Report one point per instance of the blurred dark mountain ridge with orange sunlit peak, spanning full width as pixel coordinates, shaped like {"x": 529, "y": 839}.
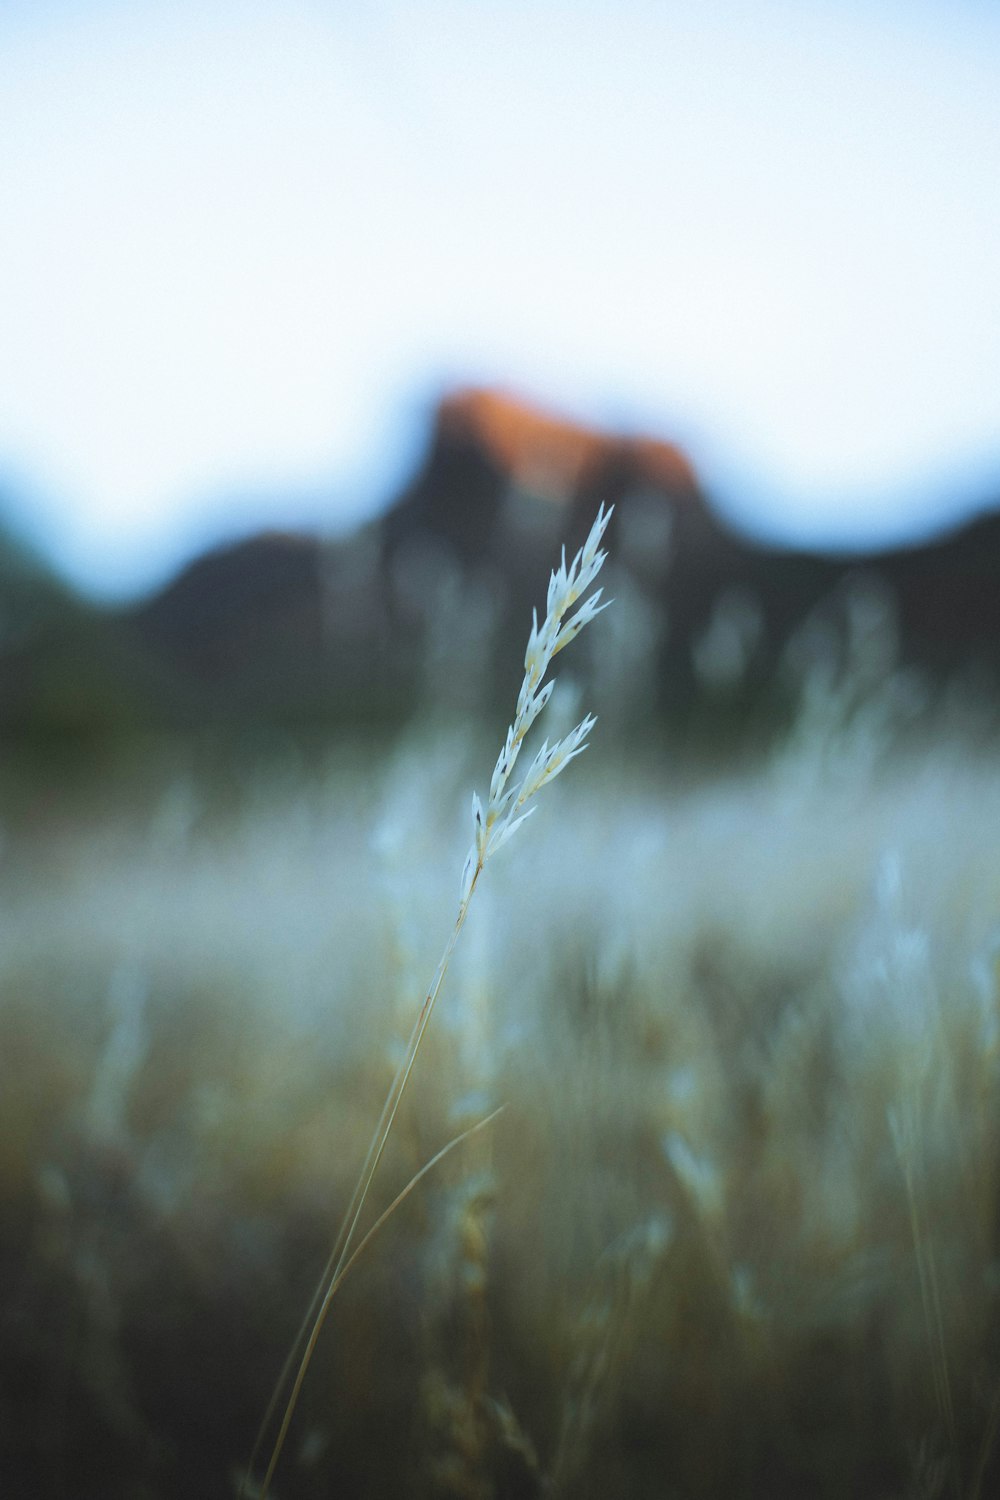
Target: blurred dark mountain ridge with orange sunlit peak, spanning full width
{"x": 428, "y": 607}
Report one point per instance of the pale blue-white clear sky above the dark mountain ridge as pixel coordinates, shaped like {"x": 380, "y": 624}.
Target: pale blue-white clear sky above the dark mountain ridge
{"x": 245, "y": 247}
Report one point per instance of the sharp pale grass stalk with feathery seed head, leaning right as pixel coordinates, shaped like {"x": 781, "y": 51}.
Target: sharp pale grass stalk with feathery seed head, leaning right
{"x": 506, "y": 811}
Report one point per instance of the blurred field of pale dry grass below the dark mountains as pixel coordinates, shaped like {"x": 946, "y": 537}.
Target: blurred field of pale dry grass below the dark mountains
{"x": 735, "y": 1232}
